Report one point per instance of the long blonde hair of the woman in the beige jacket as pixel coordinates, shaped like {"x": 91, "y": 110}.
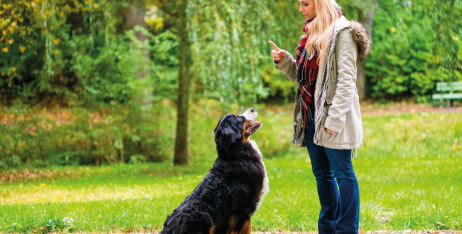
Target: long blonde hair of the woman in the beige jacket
{"x": 318, "y": 29}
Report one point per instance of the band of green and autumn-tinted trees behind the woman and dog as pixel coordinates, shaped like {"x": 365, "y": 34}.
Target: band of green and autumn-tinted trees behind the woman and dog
{"x": 133, "y": 54}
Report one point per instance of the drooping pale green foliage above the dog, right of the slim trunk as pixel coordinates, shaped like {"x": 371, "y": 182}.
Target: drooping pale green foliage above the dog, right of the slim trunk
{"x": 229, "y": 38}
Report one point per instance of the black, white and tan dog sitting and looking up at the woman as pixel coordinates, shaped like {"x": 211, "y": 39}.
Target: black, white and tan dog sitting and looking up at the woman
{"x": 234, "y": 188}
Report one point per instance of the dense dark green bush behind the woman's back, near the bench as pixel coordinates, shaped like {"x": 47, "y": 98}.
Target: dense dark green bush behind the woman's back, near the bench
{"x": 403, "y": 62}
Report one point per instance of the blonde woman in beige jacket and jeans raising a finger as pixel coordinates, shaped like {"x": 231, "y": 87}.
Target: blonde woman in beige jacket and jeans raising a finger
{"x": 327, "y": 119}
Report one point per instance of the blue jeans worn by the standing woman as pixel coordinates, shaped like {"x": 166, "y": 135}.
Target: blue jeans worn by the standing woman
{"x": 338, "y": 188}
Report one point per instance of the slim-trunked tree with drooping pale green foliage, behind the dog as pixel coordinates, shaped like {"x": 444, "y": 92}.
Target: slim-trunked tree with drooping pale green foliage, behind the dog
{"x": 228, "y": 37}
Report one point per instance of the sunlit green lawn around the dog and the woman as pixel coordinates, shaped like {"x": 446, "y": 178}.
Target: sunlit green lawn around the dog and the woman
{"x": 409, "y": 172}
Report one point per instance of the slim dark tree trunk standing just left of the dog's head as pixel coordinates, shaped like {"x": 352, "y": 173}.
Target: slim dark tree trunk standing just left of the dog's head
{"x": 181, "y": 140}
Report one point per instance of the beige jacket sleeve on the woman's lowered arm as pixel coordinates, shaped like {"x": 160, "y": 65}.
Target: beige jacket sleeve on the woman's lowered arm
{"x": 346, "y": 56}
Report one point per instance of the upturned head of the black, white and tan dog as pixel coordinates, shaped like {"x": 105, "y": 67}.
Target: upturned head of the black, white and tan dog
{"x": 234, "y": 129}
